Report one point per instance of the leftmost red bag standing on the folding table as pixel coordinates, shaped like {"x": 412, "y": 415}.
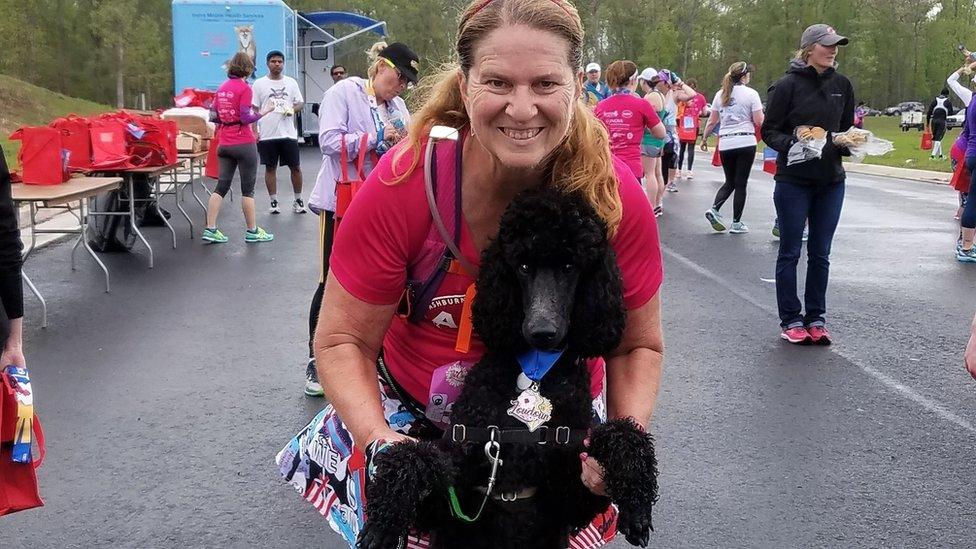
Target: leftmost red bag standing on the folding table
{"x": 43, "y": 159}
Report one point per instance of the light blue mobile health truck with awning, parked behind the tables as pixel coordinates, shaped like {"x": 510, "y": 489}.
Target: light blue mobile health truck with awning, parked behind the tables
{"x": 207, "y": 33}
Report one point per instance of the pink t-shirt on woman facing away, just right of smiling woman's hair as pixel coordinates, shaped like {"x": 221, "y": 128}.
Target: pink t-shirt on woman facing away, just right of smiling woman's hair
{"x": 625, "y": 117}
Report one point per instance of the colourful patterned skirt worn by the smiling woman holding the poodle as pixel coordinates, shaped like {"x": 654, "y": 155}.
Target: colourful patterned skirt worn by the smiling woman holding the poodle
{"x": 329, "y": 471}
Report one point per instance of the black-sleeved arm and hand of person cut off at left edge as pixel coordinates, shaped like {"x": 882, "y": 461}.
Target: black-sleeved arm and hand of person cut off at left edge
{"x": 11, "y": 285}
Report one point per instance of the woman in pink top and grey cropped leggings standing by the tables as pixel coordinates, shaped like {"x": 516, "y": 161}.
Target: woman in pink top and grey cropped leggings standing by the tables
{"x": 237, "y": 149}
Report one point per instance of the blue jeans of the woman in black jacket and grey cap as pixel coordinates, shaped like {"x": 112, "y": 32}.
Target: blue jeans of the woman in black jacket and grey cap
{"x": 796, "y": 205}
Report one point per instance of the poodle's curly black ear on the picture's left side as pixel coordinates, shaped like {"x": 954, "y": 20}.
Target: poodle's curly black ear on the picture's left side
{"x": 497, "y": 311}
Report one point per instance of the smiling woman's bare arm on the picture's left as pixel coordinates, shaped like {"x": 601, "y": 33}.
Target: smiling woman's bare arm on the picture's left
{"x": 347, "y": 342}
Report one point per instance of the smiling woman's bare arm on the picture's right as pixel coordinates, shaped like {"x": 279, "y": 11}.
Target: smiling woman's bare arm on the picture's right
{"x": 634, "y": 368}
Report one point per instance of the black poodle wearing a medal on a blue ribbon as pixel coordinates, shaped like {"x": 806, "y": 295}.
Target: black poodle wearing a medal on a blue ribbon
{"x": 548, "y": 282}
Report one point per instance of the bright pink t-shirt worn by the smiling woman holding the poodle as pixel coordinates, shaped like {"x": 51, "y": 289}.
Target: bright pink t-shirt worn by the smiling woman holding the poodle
{"x": 386, "y": 226}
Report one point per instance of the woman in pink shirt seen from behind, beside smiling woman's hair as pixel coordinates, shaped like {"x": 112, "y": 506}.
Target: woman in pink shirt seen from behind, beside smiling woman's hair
{"x": 626, "y": 116}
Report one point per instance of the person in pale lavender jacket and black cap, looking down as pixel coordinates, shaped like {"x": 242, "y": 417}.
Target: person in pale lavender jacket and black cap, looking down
{"x": 353, "y": 108}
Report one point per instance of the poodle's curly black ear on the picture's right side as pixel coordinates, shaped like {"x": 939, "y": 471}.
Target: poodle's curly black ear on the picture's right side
{"x": 598, "y": 312}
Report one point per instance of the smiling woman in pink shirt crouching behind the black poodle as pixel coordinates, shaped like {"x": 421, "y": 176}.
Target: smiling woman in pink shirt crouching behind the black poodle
{"x": 514, "y": 97}
